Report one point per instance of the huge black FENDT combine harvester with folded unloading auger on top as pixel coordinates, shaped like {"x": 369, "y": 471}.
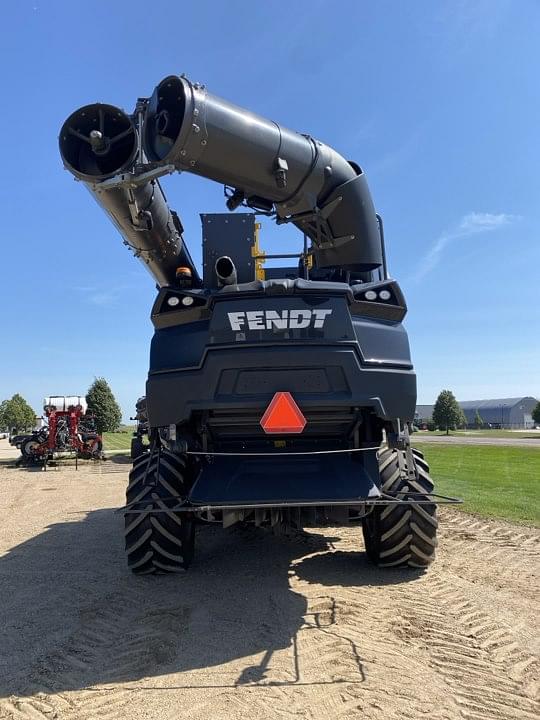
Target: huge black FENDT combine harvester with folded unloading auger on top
{"x": 281, "y": 397}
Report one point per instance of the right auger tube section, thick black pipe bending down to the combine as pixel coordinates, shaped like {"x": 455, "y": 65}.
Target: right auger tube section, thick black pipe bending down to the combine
{"x": 268, "y": 166}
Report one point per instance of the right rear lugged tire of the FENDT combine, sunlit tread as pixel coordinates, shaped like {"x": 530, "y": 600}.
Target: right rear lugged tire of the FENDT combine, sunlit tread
{"x": 402, "y": 535}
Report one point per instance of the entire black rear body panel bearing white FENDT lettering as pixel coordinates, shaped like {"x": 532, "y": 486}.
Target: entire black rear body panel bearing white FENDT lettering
{"x": 252, "y": 347}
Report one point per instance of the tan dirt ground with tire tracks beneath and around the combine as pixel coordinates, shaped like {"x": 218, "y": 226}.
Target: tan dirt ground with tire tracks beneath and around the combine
{"x": 261, "y": 627}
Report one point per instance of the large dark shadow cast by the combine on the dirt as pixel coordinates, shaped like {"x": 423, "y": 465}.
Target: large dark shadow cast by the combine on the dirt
{"x": 72, "y": 617}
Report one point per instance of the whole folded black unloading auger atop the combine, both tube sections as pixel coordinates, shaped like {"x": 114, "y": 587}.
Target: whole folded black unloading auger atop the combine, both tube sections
{"x": 268, "y": 167}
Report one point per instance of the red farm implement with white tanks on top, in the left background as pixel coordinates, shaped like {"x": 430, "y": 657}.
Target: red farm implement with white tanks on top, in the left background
{"x": 69, "y": 433}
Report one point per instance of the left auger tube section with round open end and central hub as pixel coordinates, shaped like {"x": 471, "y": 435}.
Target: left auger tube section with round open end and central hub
{"x": 99, "y": 142}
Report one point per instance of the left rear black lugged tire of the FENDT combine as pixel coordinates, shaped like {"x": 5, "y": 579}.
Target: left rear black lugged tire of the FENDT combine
{"x": 158, "y": 540}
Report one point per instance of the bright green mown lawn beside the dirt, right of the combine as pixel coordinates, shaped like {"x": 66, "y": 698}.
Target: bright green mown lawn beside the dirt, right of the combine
{"x": 498, "y": 481}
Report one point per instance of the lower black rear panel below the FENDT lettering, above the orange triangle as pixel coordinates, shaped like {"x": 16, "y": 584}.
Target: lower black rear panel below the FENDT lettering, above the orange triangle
{"x": 173, "y": 395}
